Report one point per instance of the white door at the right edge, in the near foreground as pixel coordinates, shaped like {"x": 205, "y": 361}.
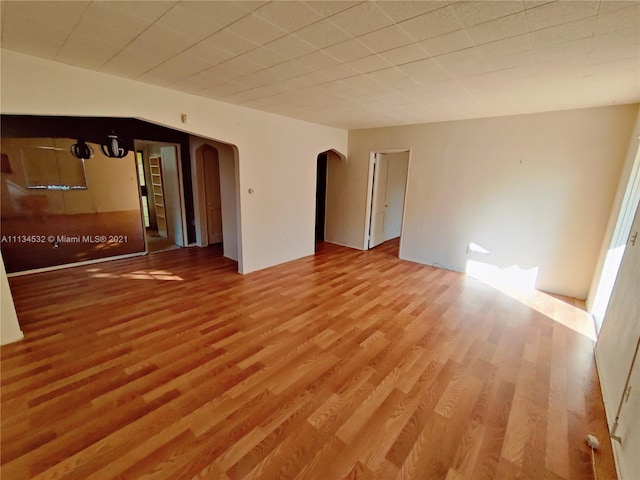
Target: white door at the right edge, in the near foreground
{"x": 615, "y": 351}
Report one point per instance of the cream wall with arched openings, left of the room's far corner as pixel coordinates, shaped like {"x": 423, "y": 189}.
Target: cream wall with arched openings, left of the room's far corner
{"x": 277, "y": 156}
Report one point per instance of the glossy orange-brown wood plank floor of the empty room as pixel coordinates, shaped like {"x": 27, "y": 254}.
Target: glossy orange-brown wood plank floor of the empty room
{"x": 348, "y": 364}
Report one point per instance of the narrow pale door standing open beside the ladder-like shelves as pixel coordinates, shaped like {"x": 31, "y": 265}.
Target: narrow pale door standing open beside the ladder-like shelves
{"x": 172, "y": 194}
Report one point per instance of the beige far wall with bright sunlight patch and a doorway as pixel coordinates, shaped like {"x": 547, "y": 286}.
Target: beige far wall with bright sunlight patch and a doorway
{"x": 536, "y": 190}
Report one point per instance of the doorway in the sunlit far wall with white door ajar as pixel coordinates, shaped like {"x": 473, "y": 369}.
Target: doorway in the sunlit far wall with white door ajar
{"x": 386, "y": 197}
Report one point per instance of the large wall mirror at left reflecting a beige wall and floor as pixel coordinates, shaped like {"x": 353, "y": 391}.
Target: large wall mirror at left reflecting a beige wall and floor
{"x": 57, "y": 209}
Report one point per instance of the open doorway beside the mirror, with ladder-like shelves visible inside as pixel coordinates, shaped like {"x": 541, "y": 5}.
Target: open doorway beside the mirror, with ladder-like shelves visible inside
{"x": 161, "y": 196}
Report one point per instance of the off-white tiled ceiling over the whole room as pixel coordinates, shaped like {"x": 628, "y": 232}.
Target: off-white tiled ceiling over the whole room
{"x": 351, "y": 64}
